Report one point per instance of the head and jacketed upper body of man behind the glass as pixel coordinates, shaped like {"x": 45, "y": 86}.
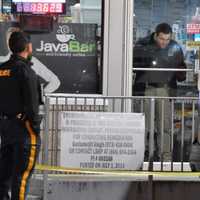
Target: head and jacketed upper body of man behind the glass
{"x": 158, "y": 50}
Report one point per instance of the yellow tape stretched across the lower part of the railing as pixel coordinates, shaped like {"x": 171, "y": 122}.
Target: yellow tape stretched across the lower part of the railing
{"x": 109, "y": 172}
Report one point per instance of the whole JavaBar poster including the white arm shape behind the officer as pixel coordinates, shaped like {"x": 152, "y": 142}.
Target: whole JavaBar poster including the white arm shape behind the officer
{"x": 65, "y": 58}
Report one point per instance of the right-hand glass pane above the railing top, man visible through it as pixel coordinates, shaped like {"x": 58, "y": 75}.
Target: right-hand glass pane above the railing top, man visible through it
{"x": 153, "y": 50}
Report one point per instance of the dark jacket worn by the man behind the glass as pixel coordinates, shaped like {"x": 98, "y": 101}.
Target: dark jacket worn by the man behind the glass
{"x": 146, "y": 52}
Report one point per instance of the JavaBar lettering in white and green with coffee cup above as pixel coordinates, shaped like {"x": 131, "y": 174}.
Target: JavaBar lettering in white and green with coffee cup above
{"x": 67, "y": 43}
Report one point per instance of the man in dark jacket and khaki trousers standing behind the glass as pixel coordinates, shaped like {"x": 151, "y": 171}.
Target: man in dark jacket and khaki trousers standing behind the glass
{"x": 158, "y": 50}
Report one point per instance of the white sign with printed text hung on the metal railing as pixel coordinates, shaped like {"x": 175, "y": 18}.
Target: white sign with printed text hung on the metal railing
{"x": 102, "y": 140}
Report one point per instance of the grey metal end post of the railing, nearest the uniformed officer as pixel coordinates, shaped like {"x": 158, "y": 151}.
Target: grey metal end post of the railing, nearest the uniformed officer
{"x": 45, "y": 143}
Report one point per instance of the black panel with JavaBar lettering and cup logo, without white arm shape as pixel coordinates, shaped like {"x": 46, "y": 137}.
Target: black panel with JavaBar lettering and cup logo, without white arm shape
{"x": 70, "y": 52}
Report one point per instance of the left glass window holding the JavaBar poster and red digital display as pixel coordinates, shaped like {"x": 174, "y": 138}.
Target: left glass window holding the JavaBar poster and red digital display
{"x": 66, "y": 37}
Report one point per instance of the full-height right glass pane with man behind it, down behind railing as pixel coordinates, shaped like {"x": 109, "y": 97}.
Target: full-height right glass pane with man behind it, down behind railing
{"x": 166, "y": 39}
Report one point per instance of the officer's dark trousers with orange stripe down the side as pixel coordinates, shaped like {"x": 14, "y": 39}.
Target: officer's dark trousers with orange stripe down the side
{"x": 17, "y": 159}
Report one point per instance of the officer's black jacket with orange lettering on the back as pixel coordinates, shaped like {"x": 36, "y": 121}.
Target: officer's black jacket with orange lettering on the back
{"x": 19, "y": 88}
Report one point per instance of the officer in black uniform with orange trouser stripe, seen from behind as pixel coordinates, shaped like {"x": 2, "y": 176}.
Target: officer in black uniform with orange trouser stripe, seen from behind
{"x": 19, "y": 119}
